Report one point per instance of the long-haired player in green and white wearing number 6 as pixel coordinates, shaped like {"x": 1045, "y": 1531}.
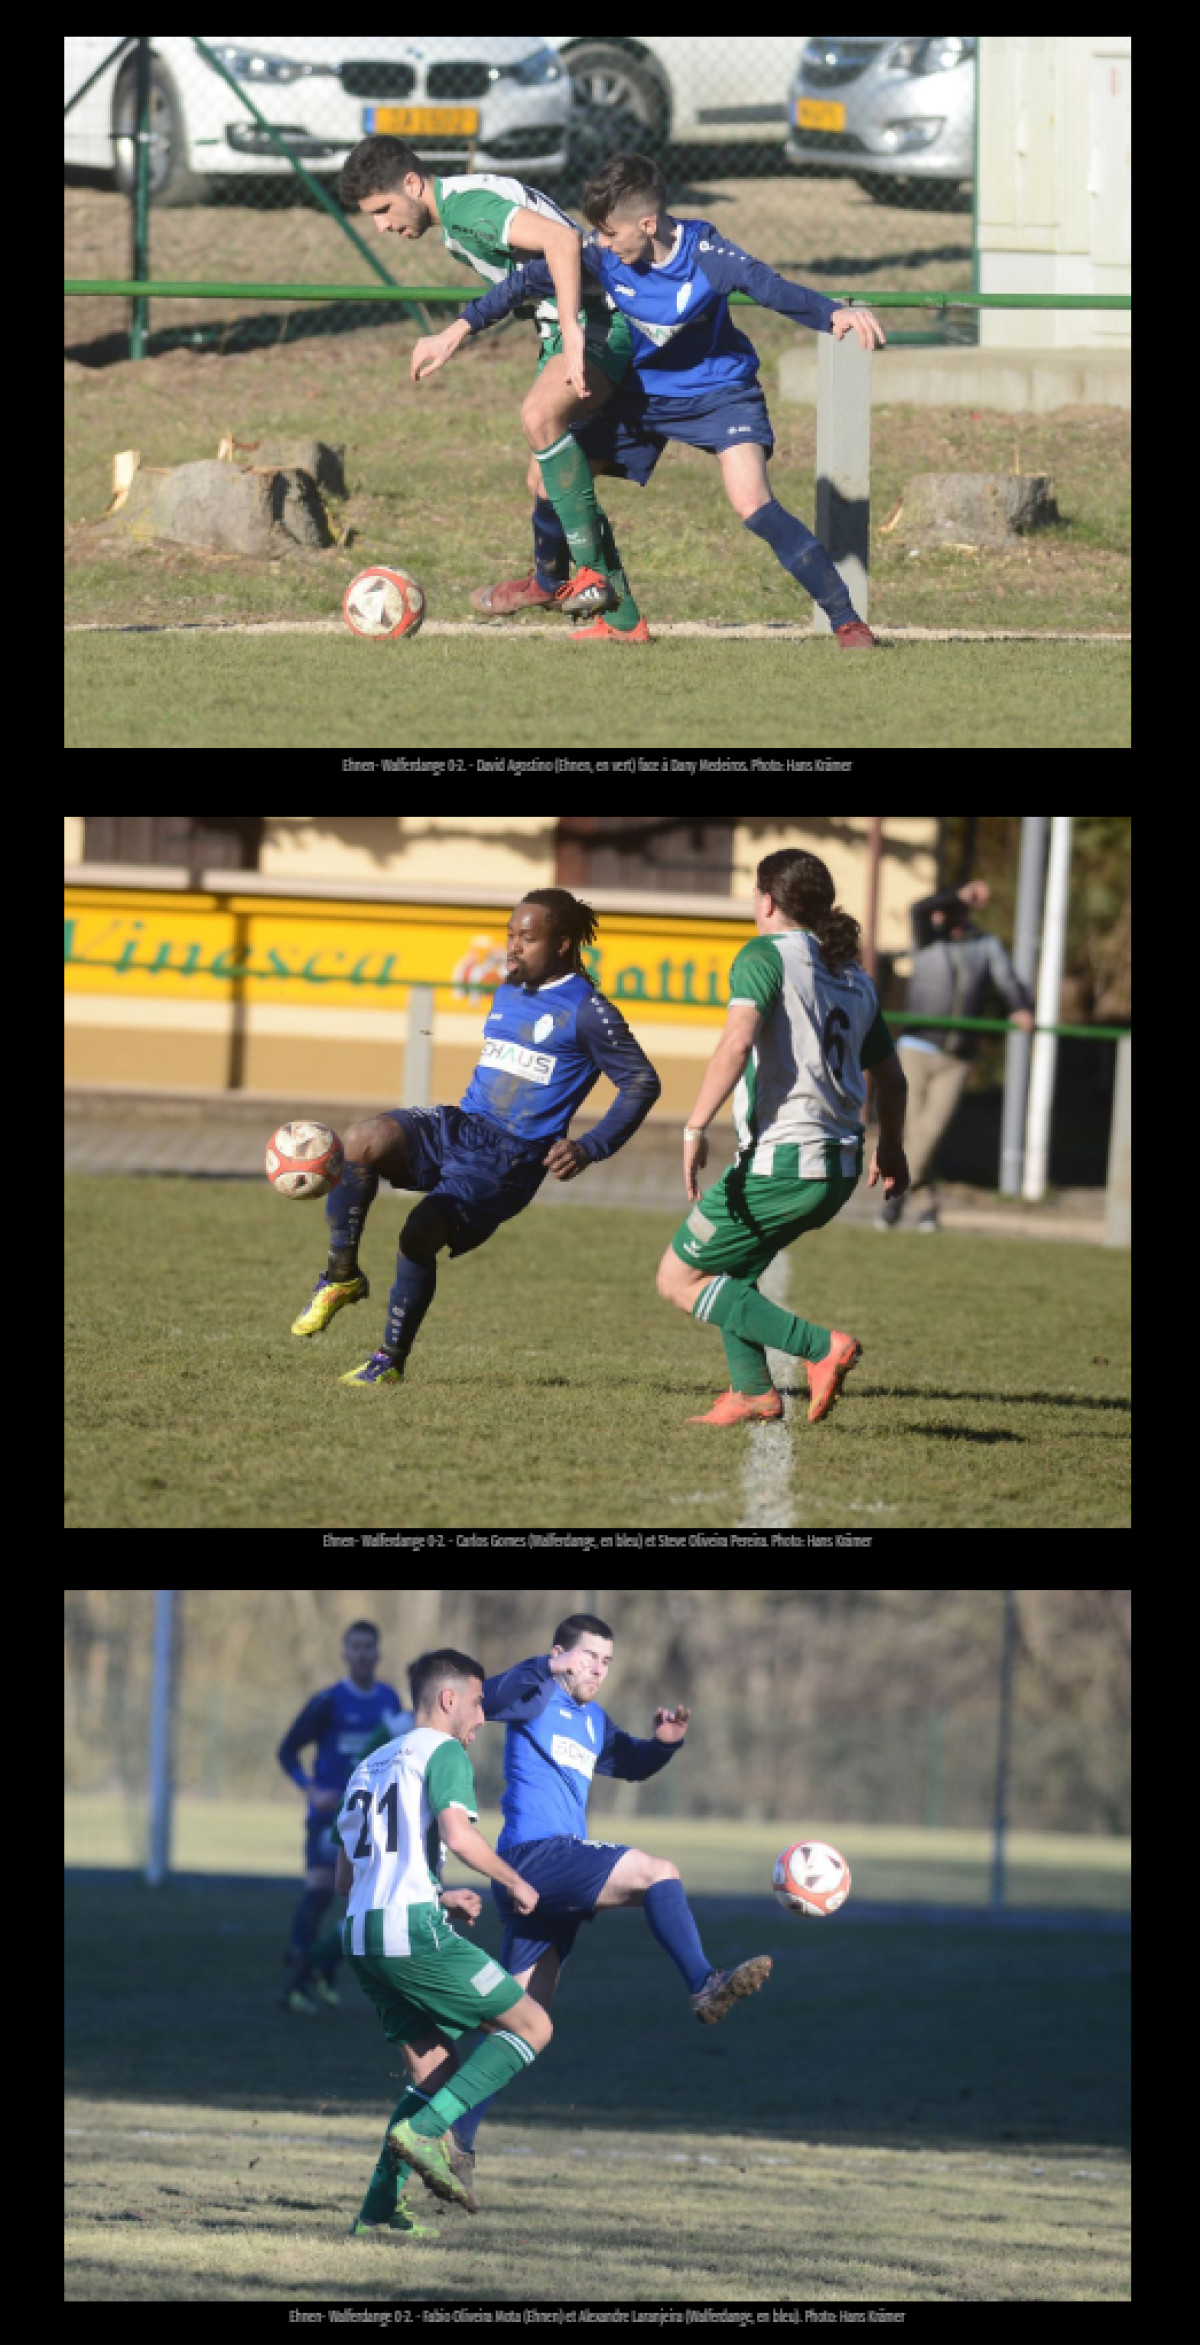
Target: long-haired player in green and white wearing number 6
{"x": 800, "y": 1031}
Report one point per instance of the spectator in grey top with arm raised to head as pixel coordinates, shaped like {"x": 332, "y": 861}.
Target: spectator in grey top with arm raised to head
{"x": 953, "y": 972}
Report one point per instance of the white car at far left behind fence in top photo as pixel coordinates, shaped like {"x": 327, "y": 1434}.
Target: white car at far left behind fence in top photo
{"x": 465, "y": 102}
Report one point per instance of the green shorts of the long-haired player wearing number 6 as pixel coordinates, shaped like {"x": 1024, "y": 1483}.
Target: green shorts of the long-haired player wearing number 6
{"x": 749, "y": 1218}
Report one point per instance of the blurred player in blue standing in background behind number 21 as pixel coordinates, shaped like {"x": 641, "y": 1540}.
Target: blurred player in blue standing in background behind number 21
{"x": 339, "y": 1722}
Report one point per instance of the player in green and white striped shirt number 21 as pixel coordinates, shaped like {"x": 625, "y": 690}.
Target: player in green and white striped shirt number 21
{"x": 428, "y": 1985}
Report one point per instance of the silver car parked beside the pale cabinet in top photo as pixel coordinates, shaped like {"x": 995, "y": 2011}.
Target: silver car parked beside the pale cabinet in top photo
{"x": 887, "y": 109}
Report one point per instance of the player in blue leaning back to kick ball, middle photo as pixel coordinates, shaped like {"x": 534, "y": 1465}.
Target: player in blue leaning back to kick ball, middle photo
{"x": 547, "y": 1040}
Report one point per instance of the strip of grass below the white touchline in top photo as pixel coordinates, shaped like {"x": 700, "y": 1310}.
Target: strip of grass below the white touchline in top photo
{"x": 526, "y": 695}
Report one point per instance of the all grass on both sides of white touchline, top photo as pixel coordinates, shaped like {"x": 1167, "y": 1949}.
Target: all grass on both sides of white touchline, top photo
{"x": 437, "y": 482}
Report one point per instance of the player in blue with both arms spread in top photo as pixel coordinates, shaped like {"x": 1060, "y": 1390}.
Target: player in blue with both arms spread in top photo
{"x": 693, "y": 376}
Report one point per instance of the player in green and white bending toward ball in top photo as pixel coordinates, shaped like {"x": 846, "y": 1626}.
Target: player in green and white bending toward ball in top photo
{"x": 496, "y": 224}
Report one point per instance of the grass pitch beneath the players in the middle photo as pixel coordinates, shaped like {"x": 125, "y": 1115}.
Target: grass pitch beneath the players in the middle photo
{"x": 993, "y": 1392}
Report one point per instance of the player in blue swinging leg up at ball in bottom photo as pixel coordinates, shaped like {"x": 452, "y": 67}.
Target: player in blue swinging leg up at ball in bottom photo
{"x": 557, "y": 1741}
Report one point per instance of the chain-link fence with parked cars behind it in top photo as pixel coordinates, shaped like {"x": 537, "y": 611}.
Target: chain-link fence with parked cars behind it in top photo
{"x": 836, "y": 161}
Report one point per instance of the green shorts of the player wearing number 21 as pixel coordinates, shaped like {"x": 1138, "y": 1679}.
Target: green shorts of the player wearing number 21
{"x": 439, "y": 1985}
